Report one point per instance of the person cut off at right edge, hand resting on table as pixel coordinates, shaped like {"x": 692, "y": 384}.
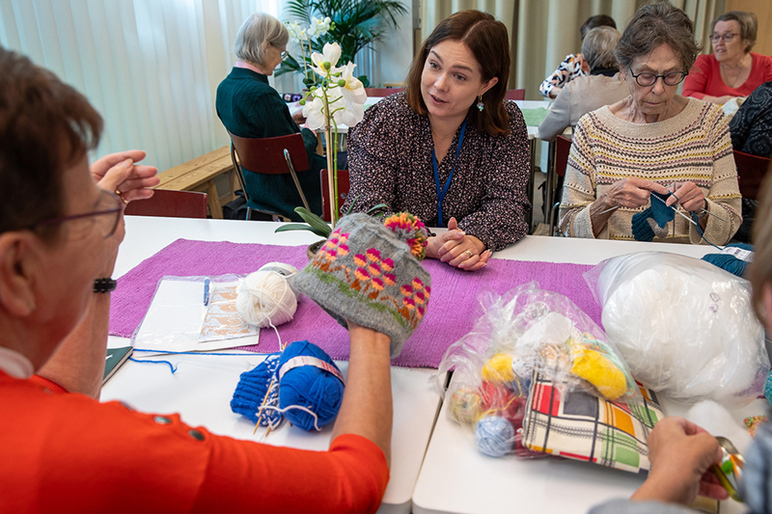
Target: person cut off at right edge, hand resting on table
{"x": 681, "y": 453}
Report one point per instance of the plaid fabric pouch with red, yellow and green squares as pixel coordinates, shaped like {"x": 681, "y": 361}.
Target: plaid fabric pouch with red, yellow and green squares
{"x": 585, "y": 427}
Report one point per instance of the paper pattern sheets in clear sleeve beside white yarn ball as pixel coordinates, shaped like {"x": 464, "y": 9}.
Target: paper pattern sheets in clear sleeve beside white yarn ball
{"x": 178, "y": 320}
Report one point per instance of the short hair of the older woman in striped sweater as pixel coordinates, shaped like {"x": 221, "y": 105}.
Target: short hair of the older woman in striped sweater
{"x": 654, "y": 25}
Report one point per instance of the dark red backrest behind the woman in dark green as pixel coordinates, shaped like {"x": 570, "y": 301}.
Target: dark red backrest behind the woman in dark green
{"x": 266, "y": 154}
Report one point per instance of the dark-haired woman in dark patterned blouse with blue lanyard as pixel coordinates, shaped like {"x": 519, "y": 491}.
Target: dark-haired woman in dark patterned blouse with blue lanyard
{"x": 449, "y": 148}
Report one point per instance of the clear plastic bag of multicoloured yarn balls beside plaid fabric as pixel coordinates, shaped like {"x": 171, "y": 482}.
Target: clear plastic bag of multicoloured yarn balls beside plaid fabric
{"x": 527, "y": 329}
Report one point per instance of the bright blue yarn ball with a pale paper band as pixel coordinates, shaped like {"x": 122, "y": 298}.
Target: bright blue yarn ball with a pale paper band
{"x": 309, "y": 386}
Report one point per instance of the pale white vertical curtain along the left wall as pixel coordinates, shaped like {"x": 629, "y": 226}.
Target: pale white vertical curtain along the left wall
{"x": 150, "y": 67}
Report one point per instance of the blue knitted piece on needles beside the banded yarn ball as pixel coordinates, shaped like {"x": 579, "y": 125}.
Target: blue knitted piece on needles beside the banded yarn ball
{"x": 251, "y": 390}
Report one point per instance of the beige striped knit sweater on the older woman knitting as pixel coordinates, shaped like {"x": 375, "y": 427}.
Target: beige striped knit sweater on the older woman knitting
{"x": 691, "y": 146}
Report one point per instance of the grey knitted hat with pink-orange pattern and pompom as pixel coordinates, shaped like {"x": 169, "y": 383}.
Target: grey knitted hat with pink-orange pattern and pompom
{"x": 370, "y": 273}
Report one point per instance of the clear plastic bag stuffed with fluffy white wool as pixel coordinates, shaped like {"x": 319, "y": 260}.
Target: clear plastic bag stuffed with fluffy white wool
{"x": 685, "y": 327}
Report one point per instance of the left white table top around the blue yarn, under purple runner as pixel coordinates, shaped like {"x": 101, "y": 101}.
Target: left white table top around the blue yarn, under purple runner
{"x": 201, "y": 390}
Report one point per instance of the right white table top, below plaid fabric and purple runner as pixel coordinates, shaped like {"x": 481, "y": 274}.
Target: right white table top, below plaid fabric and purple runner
{"x": 456, "y": 478}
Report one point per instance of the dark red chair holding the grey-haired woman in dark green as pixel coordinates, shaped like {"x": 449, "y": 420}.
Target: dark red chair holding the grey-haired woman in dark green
{"x": 269, "y": 155}
